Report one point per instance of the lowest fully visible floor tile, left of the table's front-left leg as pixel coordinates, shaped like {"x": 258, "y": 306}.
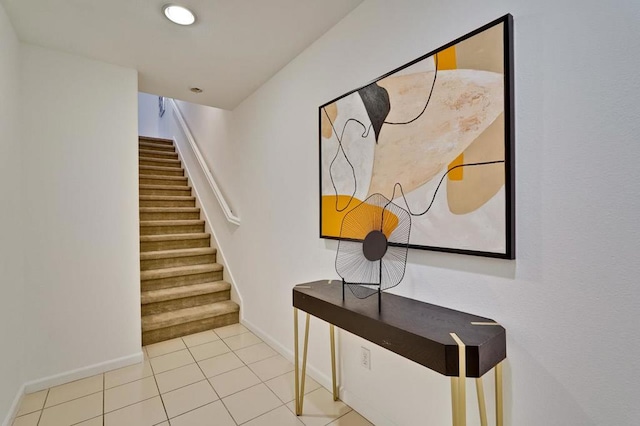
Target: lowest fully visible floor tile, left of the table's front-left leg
{"x": 251, "y": 403}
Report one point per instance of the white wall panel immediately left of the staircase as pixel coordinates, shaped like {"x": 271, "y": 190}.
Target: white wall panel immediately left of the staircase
{"x": 80, "y": 171}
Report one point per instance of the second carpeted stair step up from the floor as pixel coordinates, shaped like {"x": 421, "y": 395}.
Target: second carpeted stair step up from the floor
{"x": 175, "y": 298}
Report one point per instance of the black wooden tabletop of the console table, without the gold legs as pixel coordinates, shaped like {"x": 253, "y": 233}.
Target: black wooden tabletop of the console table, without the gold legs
{"x": 415, "y": 330}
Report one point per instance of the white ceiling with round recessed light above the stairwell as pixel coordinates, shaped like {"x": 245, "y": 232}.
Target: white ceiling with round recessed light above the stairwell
{"x": 232, "y": 49}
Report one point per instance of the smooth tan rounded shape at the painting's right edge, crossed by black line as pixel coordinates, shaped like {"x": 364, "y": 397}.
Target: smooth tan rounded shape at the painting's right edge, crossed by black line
{"x": 479, "y": 183}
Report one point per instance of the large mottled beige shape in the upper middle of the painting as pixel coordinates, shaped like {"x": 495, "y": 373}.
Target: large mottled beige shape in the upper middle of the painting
{"x": 463, "y": 104}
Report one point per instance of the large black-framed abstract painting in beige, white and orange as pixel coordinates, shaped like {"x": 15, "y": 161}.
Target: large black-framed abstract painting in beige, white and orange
{"x": 435, "y": 135}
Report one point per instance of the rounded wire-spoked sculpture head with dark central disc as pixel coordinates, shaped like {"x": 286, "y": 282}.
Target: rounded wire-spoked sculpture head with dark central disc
{"x": 373, "y": 246}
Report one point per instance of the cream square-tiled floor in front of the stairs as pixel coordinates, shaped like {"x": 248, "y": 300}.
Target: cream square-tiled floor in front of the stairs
{"x": 221, "y": 377}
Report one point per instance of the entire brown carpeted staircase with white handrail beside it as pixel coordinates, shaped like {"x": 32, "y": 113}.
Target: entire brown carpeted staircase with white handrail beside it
{"x": 181, "y": 283}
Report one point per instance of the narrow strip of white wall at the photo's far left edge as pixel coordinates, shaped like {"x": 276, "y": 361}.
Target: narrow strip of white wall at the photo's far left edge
{"x": 11, "y": 237}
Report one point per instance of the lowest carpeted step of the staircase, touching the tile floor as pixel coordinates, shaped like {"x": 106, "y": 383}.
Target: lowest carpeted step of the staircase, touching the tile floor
{"x": 168, "y": 325}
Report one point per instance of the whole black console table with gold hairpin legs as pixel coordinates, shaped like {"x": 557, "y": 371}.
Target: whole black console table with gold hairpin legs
{"x": 452, "y": 343}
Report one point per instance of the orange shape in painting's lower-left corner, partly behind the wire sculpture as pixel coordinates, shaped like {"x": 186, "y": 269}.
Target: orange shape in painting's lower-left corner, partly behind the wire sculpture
{"x": 365, "y": 217}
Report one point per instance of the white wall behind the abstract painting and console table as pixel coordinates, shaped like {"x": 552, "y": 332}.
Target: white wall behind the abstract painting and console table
{"x": 569, "y": 302}
